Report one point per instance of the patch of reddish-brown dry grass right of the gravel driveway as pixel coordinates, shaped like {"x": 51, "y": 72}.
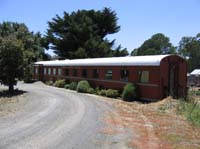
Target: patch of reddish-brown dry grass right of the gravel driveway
{"x": 156, "y": 125}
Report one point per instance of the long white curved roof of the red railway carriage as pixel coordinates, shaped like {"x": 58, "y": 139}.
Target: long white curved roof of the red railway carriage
{"x": 153, "y": 60}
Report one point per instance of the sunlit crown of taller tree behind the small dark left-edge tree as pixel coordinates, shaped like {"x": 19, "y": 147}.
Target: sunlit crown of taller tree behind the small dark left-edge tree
{"x": 33, "y": 43}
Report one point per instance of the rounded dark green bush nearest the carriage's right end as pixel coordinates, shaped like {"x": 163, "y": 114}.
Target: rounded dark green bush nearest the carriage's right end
{"x": 129, "y": 92}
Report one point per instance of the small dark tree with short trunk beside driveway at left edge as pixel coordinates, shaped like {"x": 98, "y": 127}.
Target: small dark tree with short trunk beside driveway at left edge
{"x": 11, "y": 61}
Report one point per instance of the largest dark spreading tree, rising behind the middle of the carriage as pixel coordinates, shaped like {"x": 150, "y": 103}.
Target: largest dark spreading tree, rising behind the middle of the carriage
{"x": 82, "y": 34}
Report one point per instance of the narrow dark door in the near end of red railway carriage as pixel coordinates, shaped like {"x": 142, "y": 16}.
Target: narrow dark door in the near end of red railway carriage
{"x": 173, "y": 80}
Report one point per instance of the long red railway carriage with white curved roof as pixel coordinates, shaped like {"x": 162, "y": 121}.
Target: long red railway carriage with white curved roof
{"x": 156, "y": 76}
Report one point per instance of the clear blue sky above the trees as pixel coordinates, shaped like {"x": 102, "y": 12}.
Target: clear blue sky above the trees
{"x": 139, "y": 19}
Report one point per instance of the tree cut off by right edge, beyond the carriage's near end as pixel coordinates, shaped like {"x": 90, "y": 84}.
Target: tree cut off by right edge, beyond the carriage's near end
{"x": 189, "y": 48}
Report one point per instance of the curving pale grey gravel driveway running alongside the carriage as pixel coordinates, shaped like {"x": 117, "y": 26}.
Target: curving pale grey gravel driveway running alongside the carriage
{"x": 57, "y": 118}
